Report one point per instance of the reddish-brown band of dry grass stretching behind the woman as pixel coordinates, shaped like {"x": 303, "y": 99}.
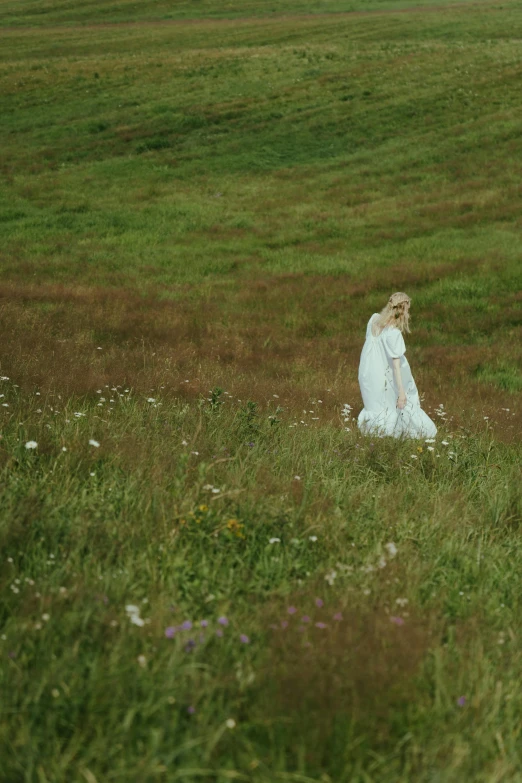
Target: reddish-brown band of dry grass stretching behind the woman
{"x": 293, "y": 335}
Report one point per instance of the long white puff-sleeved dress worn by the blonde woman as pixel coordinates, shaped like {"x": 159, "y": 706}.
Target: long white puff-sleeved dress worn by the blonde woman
{"x": 380, "y": 415}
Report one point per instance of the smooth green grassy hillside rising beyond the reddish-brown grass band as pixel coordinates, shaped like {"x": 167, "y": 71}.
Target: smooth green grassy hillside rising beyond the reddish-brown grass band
{"x": 315, "y": 145}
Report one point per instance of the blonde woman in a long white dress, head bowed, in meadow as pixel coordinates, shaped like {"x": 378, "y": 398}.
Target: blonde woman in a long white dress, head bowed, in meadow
{"x": 390, "y": 396}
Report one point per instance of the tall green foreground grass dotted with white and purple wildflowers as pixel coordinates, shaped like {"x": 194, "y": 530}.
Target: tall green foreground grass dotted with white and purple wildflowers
{"x": 134, "y": 521}
